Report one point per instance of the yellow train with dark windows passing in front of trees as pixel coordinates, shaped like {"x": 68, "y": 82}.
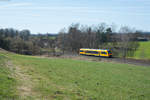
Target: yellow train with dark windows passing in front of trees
{"x": 96, "y": 52}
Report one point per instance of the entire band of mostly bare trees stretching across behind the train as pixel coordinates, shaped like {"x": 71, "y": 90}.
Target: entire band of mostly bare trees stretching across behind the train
{"x": 123, "y": 43}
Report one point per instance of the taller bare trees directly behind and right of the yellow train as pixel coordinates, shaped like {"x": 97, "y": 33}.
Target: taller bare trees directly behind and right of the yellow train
{"x": 123, "y": 43}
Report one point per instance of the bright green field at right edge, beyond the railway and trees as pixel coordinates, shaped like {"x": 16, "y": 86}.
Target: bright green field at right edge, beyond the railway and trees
{"x": 143, "y": 51}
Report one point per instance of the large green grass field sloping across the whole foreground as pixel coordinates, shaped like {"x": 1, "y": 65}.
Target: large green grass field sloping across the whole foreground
{"x": 66, "y": 79}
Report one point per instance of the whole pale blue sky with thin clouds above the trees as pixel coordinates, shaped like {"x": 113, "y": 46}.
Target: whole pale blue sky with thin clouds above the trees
{"x": 50, "y": 16}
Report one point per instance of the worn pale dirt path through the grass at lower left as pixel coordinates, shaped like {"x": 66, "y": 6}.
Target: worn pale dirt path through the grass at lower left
{"x": 25, "y": 83}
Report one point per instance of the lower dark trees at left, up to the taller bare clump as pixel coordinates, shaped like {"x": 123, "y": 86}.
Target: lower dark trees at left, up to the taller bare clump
{"x": 23, "y": 42}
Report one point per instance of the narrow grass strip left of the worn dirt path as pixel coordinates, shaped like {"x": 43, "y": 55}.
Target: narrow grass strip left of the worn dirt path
{"x": 7, "y": 82}
